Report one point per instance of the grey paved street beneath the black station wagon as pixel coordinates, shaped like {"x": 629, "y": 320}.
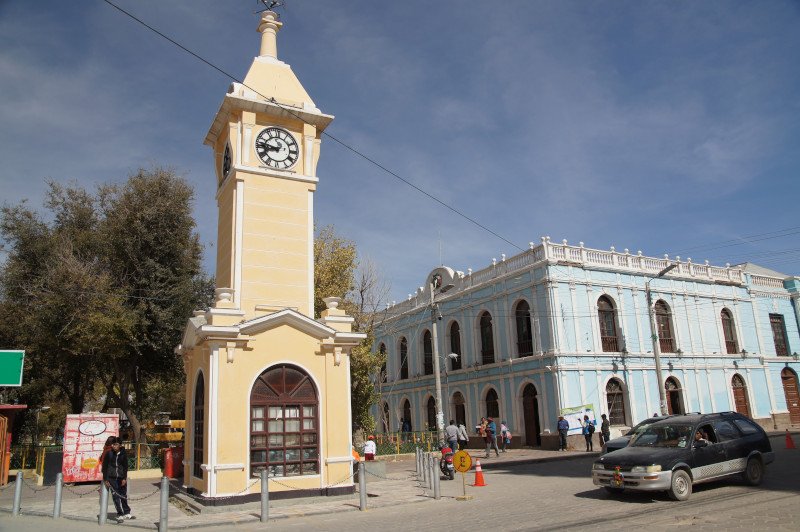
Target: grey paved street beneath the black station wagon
{"x": 549, "y": 496}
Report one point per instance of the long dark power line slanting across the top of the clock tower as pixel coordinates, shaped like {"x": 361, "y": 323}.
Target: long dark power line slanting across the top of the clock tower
{"x": 326, "y": 134}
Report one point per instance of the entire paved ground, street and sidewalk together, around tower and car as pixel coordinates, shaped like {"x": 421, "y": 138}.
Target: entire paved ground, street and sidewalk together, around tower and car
{"x": 526, "y": 490}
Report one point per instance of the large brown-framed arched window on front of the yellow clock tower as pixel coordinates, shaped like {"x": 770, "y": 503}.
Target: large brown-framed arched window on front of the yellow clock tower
{"x": 284, "y": 427}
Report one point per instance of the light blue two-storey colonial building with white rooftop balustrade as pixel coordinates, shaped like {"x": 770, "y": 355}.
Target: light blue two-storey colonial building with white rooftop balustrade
{"x": 563, "y": 328}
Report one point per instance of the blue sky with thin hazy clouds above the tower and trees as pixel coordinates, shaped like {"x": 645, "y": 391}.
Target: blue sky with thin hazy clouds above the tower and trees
{"x": 660, "y": 126}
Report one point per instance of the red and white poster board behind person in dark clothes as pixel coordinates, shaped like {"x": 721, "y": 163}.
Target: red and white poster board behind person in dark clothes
{"x": 84, "y": 437}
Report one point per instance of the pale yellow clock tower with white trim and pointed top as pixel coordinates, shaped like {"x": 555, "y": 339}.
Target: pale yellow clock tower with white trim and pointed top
{"x": 268, "y": 386}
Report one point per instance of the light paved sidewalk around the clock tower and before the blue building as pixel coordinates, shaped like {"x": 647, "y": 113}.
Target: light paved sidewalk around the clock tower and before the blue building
{"x": 400, "y": 487}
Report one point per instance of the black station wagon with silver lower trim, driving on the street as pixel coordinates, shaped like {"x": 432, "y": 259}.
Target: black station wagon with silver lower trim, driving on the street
{"x": 675, "y": 453}
